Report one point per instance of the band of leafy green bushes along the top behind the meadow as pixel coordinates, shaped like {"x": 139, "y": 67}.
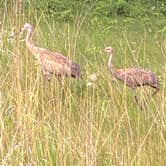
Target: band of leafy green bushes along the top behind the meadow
{"x": 65, "y": 10}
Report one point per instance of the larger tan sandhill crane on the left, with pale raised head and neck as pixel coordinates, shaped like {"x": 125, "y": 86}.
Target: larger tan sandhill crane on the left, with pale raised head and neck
{"x": 52, "y": 63}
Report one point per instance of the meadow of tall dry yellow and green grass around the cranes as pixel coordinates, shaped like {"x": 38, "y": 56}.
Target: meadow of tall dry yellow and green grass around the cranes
{"x": 43, "y": 123}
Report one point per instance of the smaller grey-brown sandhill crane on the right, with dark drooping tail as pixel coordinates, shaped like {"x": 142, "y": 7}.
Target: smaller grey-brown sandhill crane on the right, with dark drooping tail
{"x": 133, "y": 77}
